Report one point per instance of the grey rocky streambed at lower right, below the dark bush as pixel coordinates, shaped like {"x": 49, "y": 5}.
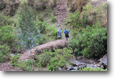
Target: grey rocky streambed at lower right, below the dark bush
{"x": 81, "y": 62}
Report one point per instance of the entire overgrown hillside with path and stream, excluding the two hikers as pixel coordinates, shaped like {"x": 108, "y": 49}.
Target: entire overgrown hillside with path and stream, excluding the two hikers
{"x": 28, "y": 35}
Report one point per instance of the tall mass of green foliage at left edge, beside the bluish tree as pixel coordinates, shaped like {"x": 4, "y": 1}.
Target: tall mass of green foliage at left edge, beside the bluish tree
{"x": 7, "y": 41}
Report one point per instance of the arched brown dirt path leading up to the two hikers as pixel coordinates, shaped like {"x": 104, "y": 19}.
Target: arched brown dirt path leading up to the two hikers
{"x": 57, "y": 44}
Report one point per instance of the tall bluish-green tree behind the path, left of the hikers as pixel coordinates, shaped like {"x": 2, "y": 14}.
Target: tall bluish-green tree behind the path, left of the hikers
{"x": 28, "y": 32}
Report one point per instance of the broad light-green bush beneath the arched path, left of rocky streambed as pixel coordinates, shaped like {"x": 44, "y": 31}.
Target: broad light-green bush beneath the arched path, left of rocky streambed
{"x": 54, "y": 60}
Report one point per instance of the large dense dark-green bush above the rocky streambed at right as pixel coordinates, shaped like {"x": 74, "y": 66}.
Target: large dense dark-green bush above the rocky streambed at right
{"x": 90, "y": 42}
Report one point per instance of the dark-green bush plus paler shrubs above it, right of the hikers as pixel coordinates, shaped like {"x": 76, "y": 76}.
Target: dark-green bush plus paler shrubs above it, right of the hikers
{"x": 90, "y": 38}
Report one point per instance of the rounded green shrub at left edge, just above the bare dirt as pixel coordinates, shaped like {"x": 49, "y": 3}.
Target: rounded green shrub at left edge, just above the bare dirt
{"x": 4, "y": 51}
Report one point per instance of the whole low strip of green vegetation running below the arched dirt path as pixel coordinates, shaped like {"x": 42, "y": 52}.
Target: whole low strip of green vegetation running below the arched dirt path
{"x": 51, "y": 60}
